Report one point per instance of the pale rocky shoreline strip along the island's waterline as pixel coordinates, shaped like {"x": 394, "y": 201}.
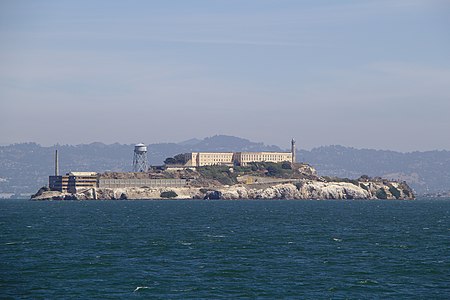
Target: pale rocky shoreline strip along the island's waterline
{"x": 308, "y": 189}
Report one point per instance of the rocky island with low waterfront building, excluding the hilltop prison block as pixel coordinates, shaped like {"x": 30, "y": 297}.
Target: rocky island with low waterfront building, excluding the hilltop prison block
{"x": 254, "y": 180}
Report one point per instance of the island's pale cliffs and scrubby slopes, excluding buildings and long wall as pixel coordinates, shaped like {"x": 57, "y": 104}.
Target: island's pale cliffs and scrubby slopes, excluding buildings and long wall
{"x": 258, "y": 181}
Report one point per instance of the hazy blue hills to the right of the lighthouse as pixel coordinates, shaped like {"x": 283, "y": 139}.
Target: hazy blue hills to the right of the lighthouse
{"x": 426, "y": 172}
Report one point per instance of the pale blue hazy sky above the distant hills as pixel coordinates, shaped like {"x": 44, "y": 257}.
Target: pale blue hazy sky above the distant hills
{"x": 365, "y": 74}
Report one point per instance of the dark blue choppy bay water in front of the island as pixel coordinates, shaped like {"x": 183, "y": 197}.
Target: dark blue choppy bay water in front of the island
{"x": 225, "y": 249}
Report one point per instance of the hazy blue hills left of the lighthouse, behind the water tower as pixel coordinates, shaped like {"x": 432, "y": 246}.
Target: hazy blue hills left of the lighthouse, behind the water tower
{"x": 25, "y": 167}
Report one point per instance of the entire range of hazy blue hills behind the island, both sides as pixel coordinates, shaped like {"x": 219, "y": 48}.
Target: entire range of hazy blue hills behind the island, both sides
{"x": 25, "y": 167}
